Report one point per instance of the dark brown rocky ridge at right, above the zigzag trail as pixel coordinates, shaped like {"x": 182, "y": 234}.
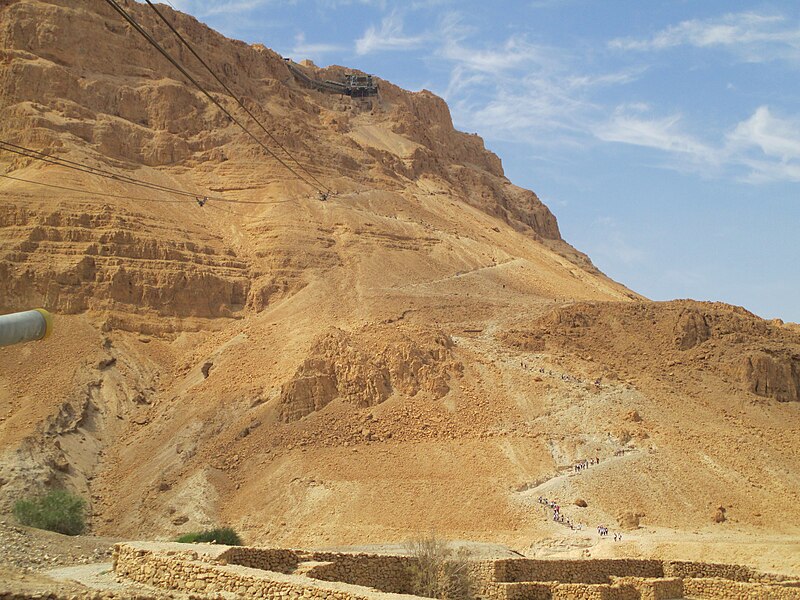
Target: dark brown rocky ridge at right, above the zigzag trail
{"x": 666, "y": 338}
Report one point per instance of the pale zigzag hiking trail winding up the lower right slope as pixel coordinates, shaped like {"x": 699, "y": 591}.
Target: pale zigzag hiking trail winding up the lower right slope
{"x": 571, "y": 397}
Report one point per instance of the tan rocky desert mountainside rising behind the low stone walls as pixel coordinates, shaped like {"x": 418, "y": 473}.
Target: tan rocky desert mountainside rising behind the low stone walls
{"x": 421, "y": 351}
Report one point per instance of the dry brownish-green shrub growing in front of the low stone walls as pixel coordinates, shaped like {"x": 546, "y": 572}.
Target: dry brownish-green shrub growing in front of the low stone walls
{"x": 439, "y": 572}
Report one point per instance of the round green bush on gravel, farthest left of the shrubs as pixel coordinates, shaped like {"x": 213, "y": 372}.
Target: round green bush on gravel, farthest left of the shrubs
{"x": 57, "y": 511}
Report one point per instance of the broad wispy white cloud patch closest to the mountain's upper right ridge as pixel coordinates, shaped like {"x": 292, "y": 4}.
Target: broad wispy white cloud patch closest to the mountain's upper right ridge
{"x": 518, "y": 90}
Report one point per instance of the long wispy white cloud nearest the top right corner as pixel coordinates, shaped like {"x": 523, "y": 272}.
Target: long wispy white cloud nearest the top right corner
{"x": 755, "y": 37}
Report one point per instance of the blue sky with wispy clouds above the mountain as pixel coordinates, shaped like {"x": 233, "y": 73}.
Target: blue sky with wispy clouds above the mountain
{"x": 665, "y": 136}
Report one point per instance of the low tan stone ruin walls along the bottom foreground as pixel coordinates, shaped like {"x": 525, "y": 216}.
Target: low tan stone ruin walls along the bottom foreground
{"x": 287, "y": 573}
